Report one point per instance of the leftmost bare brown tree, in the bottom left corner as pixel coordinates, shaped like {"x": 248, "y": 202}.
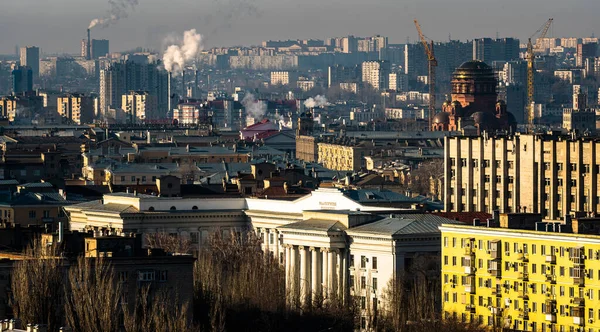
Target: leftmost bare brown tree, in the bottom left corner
{"x": 37, "y": 286}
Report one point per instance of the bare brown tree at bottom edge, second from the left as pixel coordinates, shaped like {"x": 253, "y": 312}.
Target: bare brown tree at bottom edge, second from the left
{"x": 92, "y": 299}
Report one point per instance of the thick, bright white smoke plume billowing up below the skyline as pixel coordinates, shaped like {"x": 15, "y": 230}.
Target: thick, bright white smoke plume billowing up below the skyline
{"x": 178, "y": 55}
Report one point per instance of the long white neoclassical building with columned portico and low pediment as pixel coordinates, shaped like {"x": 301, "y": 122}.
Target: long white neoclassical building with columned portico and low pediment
{"x": 331, "y": 245}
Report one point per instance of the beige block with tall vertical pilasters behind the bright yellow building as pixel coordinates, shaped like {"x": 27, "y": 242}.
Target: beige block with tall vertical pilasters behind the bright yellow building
{"x": 551, "y": 174}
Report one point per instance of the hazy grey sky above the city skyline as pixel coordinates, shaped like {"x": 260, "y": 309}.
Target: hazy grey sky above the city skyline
{"x": 59, "y": 25}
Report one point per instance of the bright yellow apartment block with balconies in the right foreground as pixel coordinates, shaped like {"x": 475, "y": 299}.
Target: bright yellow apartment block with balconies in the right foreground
{"x": 521, "y": 274}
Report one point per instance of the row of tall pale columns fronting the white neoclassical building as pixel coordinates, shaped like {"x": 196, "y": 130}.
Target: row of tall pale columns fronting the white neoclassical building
{"x": 314, "y": 274}
